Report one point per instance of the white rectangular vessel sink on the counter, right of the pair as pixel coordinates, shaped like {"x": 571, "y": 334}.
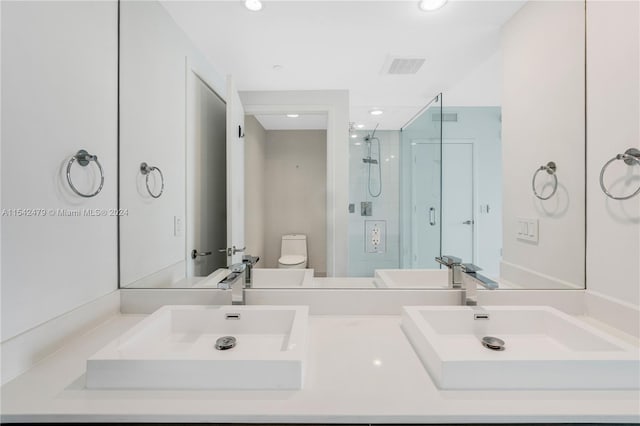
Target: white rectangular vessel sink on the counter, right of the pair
{"x": 544, "y": 349}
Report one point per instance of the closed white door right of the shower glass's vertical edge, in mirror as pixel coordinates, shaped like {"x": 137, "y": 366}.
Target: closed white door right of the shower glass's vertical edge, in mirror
{"x": 457, "y": 199}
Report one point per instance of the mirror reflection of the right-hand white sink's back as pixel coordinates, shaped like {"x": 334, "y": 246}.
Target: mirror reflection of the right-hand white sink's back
{"x": 411, "y": 278}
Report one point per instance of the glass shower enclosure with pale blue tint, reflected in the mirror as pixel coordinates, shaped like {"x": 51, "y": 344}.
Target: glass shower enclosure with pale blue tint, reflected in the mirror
{"x": 433, "y": 187}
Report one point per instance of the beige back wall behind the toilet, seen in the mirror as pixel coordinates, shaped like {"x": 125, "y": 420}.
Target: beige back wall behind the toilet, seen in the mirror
{"x": 296, "y": 193}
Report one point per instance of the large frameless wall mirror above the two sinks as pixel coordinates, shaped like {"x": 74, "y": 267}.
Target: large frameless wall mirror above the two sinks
{"x": 489, "y": 167}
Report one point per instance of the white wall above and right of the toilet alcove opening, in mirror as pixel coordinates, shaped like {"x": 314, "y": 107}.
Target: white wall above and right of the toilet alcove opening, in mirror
{"x": 336, "y": 104}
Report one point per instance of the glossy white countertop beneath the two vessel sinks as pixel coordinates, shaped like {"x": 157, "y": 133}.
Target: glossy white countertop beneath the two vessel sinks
{"x": 361, "y": 369}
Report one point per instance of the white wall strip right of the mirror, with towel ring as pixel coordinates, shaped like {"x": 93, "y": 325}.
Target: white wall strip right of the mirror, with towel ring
{"x": 613, "y": 118}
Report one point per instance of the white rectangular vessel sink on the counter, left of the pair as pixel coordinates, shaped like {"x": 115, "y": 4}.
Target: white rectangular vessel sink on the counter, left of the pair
{"x": 174, "y": 348}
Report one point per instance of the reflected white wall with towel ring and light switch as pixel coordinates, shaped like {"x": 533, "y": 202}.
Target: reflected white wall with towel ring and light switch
{"x": 543, "y": 120}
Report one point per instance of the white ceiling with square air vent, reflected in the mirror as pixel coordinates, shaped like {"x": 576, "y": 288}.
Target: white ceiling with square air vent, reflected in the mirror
{"x": 333, "y": 45}
